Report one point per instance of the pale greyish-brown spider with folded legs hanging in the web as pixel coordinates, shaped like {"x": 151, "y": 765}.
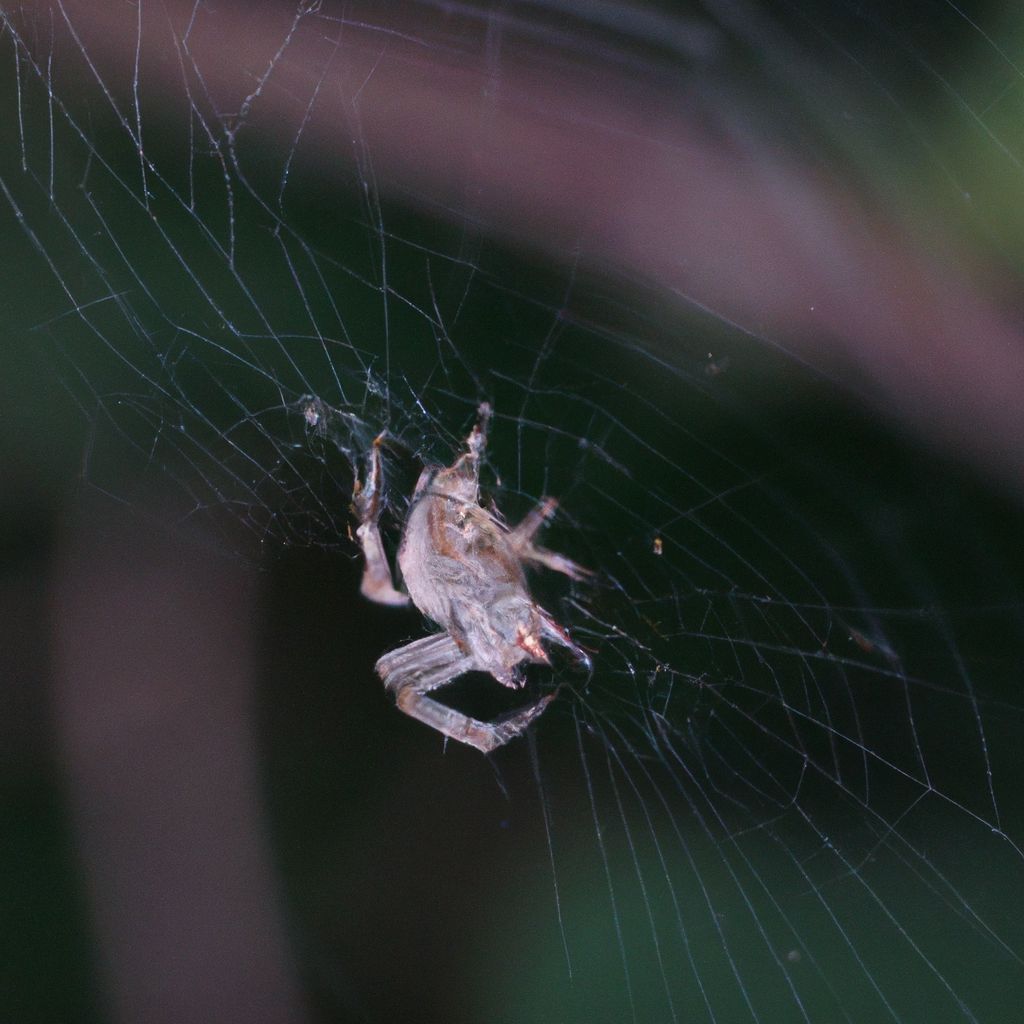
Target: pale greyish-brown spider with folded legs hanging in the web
{"x": 464, "y": 569}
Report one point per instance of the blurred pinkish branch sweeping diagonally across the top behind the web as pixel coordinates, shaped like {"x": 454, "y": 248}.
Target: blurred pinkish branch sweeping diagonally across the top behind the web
{"x": 609, "y": 167}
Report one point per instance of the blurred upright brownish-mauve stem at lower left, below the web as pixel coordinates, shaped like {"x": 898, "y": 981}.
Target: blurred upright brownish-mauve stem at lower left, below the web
{"x": 154, "y": 691}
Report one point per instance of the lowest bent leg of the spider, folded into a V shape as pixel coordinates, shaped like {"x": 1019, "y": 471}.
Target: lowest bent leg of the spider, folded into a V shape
{"x": 412, "y": 672}
